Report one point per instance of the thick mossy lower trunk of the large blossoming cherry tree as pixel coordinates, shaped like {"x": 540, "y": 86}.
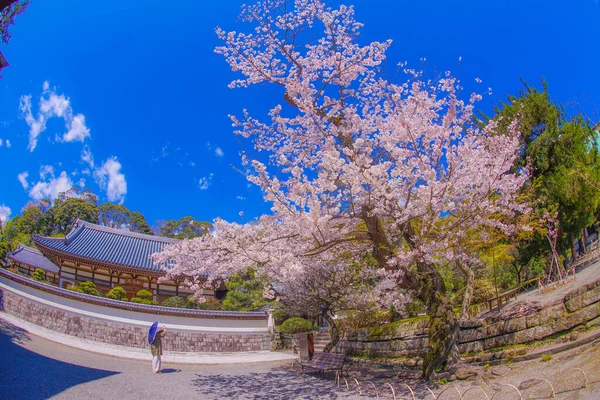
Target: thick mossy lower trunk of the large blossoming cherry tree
{"x": 442, "y": 349}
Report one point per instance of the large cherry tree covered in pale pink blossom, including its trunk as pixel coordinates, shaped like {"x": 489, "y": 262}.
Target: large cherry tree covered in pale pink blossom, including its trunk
{"x": 357, "y": 164}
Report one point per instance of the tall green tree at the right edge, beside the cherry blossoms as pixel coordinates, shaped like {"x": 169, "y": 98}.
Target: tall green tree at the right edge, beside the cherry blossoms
{"x": 562, "y": 154}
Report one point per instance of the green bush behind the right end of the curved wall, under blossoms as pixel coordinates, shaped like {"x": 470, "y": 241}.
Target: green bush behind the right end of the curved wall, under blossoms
{"x": 245, "y": 292}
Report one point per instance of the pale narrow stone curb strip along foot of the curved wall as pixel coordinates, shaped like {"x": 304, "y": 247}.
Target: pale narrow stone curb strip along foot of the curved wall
{"x": 144, "y": 354}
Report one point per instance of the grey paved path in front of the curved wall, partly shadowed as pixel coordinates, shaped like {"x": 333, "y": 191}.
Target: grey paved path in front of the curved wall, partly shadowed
{"x": 35, "y": 368}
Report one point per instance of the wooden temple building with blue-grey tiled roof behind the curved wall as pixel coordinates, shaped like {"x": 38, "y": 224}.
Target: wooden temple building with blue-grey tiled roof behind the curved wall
{"x": 107, "y": 257}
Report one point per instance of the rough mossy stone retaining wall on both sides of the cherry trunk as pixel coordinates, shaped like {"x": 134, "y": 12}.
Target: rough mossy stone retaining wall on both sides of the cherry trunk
{"x": 408, "y": 339}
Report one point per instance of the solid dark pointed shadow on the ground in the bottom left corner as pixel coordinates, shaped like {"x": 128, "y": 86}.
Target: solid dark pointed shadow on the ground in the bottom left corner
{"x": 39, "y": 377}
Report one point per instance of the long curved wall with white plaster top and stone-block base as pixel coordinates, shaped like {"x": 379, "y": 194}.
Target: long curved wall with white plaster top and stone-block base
{"x": 128, "y": 328}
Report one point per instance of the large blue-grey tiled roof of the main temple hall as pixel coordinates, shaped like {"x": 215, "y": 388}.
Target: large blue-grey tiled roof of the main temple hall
{"x": 107, "y": 245}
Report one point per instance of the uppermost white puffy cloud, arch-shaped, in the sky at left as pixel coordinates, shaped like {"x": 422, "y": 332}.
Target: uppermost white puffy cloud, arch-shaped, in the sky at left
{"x": 53, "y": 105}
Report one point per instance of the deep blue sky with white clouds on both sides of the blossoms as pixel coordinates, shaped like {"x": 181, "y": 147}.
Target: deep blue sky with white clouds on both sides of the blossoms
{"x": 136, "y": 86}
